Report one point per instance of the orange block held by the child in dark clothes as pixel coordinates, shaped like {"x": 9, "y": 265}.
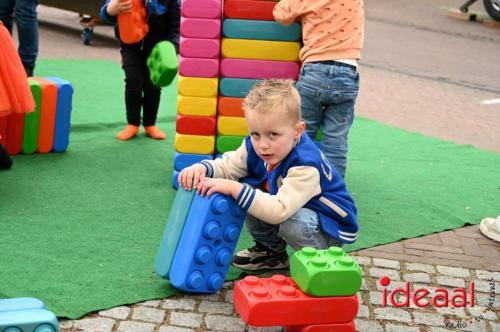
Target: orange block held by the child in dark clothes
{"x": 132, "y": 25}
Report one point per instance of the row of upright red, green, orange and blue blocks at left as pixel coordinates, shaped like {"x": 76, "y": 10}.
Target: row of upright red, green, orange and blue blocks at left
{"x": 47, "y": 128}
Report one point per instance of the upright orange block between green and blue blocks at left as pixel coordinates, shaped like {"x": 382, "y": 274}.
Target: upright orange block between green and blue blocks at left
{"x": 47, "y": 115}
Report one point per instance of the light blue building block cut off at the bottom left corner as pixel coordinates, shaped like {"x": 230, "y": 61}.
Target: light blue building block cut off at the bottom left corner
{"x": 26, "y": 314}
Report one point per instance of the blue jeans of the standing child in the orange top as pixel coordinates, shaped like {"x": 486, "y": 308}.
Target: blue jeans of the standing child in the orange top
{"x": 328, "y": 94}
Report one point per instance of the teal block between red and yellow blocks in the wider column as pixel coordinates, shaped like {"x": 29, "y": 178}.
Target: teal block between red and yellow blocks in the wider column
{"x": 261, "y": 30}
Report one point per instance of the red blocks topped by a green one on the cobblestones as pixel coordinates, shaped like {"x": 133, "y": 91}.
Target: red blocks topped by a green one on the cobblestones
{"x": 319, "y": 296}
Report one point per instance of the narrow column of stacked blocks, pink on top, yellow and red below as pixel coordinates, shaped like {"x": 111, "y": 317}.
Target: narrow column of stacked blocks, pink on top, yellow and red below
{"x": 198, "y": 82}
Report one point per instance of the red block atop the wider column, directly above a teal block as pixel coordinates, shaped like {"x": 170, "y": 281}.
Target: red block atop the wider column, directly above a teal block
{"x": 249, "y": 9}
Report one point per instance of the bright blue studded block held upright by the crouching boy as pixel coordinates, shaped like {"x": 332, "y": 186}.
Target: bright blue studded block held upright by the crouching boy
{"x": 207, "y": 244}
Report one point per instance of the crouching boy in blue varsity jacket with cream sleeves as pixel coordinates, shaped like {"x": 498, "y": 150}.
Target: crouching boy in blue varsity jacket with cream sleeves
{"x": 292, "y": 193}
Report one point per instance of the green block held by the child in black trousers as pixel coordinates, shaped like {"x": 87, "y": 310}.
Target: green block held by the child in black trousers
{"x": 163, "y": 63}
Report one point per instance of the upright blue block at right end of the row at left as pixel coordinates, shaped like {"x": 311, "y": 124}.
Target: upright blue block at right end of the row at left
{"x": 63, "y": 113}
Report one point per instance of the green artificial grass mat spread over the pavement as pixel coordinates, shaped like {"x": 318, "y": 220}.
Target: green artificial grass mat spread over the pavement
{"x": 79, "y": 230}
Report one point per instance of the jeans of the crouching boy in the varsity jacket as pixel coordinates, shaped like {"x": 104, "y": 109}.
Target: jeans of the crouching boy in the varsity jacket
{"x": 300, "y": 230}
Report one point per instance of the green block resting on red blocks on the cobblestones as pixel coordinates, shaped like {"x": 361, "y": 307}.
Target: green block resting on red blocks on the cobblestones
{"x": 329, "y": 272}
